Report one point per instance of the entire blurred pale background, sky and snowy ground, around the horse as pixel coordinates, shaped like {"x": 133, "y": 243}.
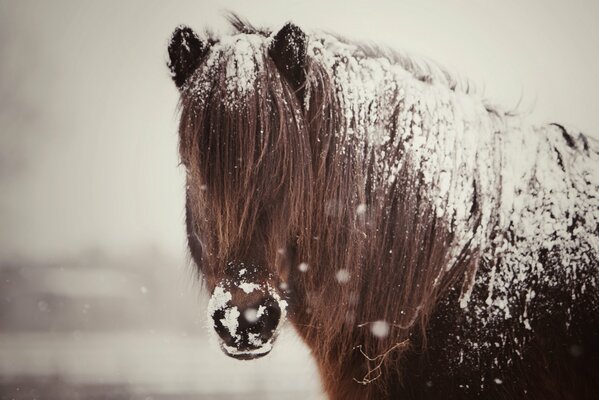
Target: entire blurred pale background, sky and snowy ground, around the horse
{"x": 97, "y": 295}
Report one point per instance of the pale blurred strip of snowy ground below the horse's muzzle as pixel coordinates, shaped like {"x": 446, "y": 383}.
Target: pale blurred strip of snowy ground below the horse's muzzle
{"x": 148, "y": 365}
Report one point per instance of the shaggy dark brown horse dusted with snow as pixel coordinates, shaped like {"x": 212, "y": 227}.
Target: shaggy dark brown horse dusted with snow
{"x": 423, "y": 242}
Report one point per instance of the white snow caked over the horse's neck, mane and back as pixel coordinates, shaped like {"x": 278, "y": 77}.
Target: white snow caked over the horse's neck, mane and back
{"x": 533, "y": 187}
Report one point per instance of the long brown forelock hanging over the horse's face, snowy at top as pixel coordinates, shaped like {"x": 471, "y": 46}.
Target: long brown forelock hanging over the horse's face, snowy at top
{"x": 244, "y": 143}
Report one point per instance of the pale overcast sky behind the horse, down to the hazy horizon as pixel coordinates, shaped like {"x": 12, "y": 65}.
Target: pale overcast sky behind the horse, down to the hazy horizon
{"x": 88, "y": 155}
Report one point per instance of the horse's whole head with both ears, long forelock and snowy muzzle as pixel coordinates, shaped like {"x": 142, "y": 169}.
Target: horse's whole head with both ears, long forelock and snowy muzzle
{"x": 244, "y": 146}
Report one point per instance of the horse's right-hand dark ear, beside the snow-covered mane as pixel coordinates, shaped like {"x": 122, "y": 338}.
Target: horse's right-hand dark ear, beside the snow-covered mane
{"x": 288, "y": 50}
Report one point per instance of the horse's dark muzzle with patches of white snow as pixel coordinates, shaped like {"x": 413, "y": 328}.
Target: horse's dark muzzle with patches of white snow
{"x": 246, "y": 315}
